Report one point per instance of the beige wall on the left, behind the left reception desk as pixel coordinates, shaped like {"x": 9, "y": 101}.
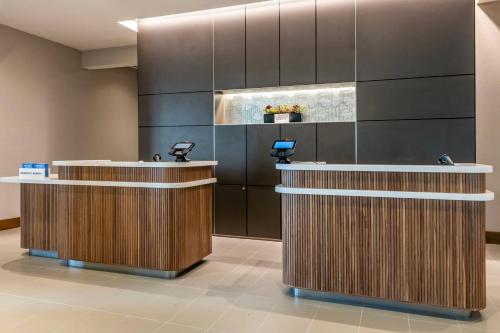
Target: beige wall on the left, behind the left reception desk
{"x": 51, "y": 109}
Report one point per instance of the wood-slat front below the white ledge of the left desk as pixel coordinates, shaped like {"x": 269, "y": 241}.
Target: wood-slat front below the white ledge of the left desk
{"x": 164, "y": 229}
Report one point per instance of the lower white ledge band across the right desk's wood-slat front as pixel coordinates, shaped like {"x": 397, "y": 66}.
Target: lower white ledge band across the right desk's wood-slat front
{"x": 487, "y": 196}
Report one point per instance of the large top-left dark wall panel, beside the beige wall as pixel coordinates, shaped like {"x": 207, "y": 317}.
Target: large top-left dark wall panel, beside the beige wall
{"x": 175, "y": 55}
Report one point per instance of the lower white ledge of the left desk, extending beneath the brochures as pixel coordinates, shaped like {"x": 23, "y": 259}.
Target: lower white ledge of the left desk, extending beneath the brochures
{"x": 54, "y": 180}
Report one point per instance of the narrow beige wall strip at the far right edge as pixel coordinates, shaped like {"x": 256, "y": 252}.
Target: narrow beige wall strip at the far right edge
{"x": 488, "y": 101}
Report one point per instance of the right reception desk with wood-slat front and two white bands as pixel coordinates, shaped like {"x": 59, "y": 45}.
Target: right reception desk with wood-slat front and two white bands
{"x": 404, "y": 236}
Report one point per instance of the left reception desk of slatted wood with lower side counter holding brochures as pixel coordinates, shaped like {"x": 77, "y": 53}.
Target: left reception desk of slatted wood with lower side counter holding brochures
{"x": 142, "y": 217}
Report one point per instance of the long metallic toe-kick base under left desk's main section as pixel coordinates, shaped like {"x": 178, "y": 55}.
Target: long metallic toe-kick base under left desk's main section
{"x": 123, "y": 269}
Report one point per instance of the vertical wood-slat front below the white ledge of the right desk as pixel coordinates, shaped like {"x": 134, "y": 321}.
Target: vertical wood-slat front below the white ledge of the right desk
{"x": 419, "y": 251}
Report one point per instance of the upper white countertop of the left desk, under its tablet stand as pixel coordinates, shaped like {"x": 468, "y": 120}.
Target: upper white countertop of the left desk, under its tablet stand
{"x": 108, "y": 163}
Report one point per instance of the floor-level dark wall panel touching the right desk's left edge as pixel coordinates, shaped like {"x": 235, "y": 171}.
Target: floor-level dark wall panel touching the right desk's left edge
{"x": 264, "y": 212}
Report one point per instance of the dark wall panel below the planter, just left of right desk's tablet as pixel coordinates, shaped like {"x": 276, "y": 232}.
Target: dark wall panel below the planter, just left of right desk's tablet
{"x": 261, "y": 168}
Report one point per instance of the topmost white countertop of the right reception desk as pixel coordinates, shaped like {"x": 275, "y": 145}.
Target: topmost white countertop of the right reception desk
{"x": 457, "y": 168}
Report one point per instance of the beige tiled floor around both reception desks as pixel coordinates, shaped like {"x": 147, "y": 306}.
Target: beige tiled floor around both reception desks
{"x": 237, "y": 289}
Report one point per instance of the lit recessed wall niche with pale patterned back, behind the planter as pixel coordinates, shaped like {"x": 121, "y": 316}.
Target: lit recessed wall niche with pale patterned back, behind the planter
{"x": 322, "y": 103}
